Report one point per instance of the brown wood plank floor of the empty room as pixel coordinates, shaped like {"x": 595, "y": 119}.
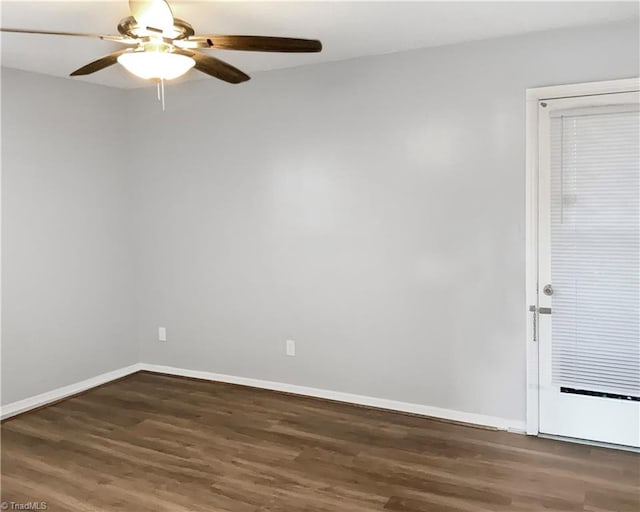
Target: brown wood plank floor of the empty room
{"x": 158, "y": 443}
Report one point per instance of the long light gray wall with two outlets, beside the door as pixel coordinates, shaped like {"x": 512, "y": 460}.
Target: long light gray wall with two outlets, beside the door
{"x": 372, "y": 210}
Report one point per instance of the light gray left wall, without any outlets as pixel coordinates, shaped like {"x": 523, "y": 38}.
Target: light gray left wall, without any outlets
{"x": 67, "y": 310}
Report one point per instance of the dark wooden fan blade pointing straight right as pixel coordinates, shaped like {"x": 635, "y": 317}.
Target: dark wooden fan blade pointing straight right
{"x": 261, "y": 43}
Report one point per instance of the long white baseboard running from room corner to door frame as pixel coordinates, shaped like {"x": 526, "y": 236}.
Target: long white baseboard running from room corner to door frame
{"x": 381, "y": 403}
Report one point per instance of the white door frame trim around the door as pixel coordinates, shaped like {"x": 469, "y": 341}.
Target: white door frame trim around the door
{"x": 533, "y": 96}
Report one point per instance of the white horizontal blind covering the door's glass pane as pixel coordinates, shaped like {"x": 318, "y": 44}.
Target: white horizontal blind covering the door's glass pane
{"x": 595, "y": 249}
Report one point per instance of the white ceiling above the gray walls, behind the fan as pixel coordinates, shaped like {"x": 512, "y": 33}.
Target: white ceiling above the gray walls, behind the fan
{"x": 347, "y": 29}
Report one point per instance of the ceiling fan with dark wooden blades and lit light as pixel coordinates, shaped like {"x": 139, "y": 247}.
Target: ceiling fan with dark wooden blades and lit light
{"x": 161, "y": 47}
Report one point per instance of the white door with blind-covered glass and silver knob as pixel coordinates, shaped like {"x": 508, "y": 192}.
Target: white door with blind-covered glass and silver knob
{"x": 589, "y": 267}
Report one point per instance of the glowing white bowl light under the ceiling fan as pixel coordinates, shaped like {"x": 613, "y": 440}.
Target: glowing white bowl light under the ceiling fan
{"x": 156, "y": 64}
